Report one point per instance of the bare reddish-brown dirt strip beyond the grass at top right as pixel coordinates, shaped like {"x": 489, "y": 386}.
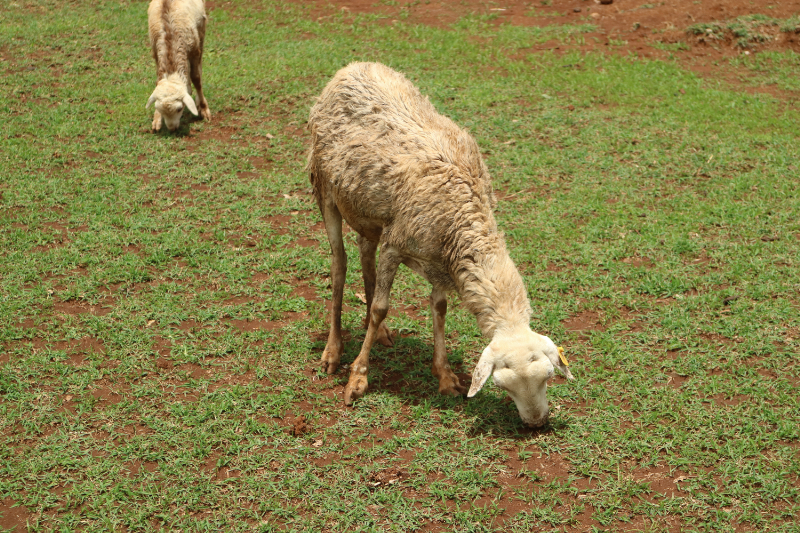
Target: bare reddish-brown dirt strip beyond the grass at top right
{"x": 646, "y": 29}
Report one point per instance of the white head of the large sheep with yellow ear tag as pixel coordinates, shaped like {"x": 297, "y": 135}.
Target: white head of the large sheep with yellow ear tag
{"x": 521, "y": 361}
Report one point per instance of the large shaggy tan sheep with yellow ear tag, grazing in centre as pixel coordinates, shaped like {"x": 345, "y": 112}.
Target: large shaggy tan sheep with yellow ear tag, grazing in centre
{"x": 409, "y": 179}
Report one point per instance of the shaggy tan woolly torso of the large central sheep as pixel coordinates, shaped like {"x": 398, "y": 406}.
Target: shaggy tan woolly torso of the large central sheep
{"x": 398, "y": 170}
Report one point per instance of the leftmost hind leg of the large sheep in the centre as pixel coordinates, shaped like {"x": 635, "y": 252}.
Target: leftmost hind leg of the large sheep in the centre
{"x": 333, "y": 225}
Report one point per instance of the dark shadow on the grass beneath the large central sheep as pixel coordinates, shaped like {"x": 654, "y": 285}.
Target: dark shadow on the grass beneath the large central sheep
{"x": 403, "y": 370}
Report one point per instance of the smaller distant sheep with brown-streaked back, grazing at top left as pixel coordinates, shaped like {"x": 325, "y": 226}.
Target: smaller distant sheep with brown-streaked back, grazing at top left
{"x": 177, "y": 30}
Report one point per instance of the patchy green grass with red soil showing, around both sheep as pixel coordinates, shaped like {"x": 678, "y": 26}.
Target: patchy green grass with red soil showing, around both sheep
{"x": 162, "y": 294}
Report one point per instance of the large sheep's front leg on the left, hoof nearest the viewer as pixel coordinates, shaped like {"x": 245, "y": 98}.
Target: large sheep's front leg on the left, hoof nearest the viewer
{"x": 387, "y": 268}
